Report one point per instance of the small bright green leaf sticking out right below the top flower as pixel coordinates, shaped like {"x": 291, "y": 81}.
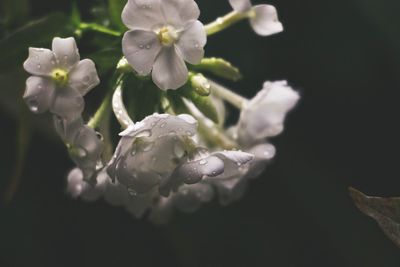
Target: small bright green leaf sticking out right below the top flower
{"x": 219, "y": 67}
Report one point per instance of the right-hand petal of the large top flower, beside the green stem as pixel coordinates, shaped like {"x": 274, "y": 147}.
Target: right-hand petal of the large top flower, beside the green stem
{"x": 192, "y": 42}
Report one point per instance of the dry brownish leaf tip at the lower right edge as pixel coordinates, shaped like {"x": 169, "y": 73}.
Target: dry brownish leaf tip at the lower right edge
{"x": 386, "y": 211}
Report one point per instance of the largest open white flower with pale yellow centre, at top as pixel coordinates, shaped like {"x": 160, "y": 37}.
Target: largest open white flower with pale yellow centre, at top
{"x": 163, "y": 35}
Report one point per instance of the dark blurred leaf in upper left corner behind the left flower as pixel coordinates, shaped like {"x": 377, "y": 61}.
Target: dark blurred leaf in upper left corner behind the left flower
{"x": 35, "y": 34}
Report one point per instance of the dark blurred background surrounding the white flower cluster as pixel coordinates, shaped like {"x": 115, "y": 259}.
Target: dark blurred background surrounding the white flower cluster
{"x": 344, "y": 58}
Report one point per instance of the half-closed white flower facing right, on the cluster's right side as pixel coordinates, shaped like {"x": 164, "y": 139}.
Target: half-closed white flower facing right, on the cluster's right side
{"x": 263, "y": 116}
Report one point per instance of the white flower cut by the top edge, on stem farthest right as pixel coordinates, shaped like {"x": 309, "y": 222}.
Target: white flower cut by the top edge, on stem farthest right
{"x": 263, "y": 18}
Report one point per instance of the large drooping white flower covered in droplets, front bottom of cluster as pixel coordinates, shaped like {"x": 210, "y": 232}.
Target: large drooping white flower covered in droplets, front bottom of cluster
{"x": 150, "y": 150}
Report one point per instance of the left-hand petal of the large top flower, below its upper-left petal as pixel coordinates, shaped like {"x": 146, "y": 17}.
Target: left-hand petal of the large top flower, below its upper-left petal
{"x": 141, "y": 49}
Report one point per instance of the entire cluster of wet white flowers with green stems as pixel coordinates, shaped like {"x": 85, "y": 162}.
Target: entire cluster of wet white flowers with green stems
{"x": 178, "y": 154}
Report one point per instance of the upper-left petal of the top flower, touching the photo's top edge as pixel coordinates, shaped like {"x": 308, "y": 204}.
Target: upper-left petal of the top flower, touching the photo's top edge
{"x": 143, "y": 14}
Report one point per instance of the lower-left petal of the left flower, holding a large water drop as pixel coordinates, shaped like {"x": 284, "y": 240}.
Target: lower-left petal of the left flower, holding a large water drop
{"x": 39, "y": 94}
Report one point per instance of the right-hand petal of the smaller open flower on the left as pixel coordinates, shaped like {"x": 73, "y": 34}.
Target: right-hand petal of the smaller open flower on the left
{"x": 83, "y": 77}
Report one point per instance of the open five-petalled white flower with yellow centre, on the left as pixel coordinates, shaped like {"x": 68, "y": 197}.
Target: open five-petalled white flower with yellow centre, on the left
{"x": 59, "y": 79}
